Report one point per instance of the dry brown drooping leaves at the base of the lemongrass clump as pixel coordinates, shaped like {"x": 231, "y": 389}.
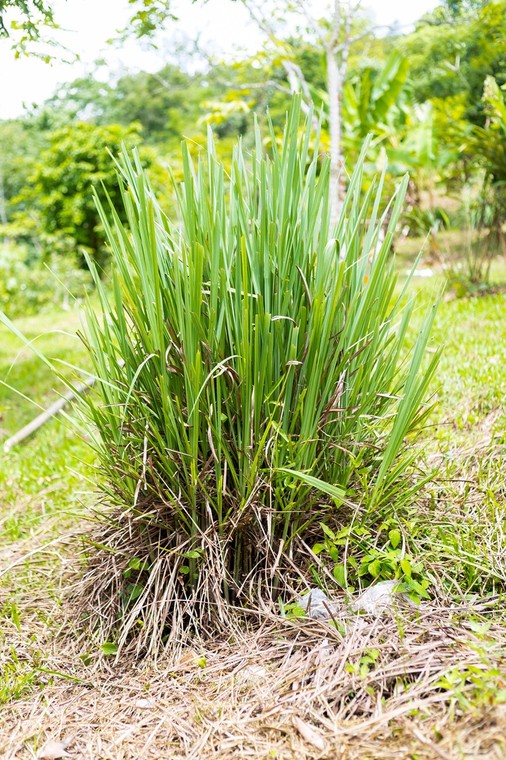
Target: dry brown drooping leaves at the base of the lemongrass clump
{"x": 135, "y": 588}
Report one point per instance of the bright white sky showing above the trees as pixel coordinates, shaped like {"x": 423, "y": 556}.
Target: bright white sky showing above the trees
{"x": 223, "y": 29}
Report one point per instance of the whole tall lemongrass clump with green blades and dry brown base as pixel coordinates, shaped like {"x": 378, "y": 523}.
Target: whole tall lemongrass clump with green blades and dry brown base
{"x": 253, "y": 380}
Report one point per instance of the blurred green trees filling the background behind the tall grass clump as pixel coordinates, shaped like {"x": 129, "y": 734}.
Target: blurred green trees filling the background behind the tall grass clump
{"x": 419, "y": 94}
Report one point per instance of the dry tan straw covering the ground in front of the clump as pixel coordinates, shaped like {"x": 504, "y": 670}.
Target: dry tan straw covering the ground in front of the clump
{"x": 286, "y": 689}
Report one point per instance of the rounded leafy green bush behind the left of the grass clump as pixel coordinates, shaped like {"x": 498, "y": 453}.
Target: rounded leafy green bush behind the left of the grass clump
{"x": 58, "y": 205}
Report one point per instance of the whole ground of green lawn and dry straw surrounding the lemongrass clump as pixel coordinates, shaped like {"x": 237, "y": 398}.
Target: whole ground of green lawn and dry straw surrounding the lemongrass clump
{"x": 428, "y": 682}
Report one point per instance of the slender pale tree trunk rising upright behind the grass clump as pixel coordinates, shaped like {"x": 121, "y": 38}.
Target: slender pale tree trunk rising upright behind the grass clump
{"x": 334, "y": 85}
